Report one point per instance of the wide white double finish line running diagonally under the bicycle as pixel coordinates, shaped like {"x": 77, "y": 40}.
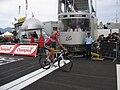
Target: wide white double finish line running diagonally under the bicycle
{"x": 28, "y": 79}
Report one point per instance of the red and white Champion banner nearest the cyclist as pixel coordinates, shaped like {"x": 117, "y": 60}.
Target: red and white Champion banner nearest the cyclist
{"x": 28, "y": 50}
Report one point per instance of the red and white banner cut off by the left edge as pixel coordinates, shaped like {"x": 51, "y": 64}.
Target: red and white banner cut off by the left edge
{"x": 7, "y": 49}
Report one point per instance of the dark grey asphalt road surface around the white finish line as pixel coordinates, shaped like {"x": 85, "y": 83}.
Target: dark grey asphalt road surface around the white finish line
{"x": 85, "y": 75}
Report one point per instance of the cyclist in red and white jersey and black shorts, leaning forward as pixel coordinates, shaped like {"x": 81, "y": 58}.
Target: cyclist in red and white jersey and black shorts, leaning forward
{"x": 49, "y": 44}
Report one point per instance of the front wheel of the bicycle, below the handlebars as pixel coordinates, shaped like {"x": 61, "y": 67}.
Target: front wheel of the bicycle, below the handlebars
{"x": 65, "y": 64}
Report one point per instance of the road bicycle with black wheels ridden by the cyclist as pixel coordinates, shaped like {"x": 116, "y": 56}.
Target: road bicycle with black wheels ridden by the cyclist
{"x": 62, "y": 60}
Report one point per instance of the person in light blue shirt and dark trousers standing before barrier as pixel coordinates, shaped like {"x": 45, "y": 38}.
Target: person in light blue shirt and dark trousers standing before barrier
{"x": 88, "y": 44}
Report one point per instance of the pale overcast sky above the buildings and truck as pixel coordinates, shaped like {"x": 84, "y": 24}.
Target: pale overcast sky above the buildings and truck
{"x": 46, "y": 10}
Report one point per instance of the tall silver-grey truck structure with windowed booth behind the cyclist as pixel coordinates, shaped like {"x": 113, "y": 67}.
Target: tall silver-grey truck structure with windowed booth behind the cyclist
{"x": 72, "y": 13}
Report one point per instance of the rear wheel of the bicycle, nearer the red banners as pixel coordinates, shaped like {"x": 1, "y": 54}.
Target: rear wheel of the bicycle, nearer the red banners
{"x": 45, "y": 64}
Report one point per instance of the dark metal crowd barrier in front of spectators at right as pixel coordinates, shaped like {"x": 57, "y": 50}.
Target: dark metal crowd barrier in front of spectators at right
{"x": 109, "y": 50}
